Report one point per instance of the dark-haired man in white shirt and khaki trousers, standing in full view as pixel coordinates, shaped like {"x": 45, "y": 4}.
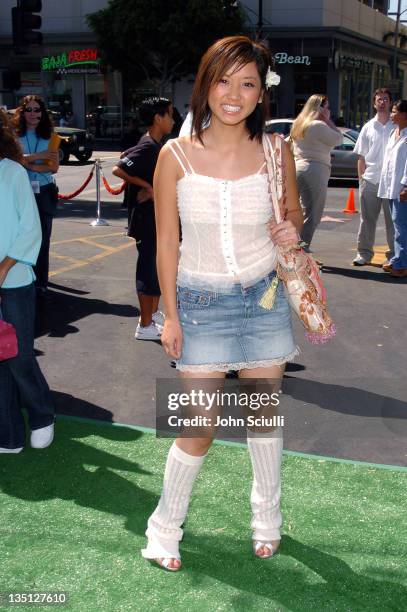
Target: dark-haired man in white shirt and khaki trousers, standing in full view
{"x": 370, "y": 147}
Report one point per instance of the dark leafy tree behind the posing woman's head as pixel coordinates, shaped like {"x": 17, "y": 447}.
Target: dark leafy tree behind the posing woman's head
{"x": 161, "y": 40}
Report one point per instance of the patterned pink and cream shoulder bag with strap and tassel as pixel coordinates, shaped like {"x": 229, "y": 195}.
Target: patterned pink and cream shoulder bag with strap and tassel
{"x": 295, "y": 268}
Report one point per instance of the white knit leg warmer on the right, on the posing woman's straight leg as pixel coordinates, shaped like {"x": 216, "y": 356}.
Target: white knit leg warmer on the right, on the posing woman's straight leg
{"x": 266, "y": 453}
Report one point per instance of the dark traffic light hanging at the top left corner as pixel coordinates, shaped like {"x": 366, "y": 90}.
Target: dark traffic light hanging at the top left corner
{"x": 26, "y": 23}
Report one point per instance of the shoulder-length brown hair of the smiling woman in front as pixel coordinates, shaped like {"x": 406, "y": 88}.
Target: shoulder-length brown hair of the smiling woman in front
{"x": 232, "y": 51}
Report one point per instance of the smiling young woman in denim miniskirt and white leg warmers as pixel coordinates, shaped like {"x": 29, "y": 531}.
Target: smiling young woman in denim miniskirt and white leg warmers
{"x": 216, "y": 181}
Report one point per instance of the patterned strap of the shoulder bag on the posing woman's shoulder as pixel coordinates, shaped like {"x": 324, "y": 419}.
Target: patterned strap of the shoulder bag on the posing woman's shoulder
{"x": 276, "y": 176}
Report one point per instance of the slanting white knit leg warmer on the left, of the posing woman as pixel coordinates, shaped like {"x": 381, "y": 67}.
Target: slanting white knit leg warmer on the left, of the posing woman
{"x": 164, "y": 525}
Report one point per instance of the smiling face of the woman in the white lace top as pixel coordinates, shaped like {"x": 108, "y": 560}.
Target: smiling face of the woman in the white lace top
{"x": 236, "y": 95}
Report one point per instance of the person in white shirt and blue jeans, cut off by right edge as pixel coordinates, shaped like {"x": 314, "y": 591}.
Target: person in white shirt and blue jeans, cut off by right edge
{"x": 393, "y": 187}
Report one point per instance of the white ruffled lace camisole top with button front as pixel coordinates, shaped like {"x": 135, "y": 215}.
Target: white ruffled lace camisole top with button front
{"x": 225, "y": 235}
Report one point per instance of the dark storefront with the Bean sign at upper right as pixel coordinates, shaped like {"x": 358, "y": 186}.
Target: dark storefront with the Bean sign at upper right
{"x": 345, "y": 68}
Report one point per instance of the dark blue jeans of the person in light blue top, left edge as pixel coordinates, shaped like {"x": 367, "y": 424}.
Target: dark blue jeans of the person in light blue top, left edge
{"x": 22, "y": 384}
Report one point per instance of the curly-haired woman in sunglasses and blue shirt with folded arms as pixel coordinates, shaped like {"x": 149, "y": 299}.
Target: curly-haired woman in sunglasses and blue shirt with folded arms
{"x": 34, "y": 129}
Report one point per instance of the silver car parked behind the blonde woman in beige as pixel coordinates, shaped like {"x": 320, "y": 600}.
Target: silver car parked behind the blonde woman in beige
{"x": 344, "y": 160}
